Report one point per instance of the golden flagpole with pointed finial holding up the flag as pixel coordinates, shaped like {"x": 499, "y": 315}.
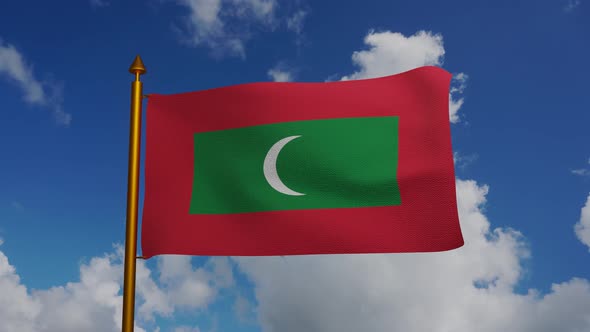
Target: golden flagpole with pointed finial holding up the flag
{"x": 137, "y": 68}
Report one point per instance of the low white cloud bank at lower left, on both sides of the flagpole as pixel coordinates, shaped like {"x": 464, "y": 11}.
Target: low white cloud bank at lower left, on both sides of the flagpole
{"x": 94, "y": 302}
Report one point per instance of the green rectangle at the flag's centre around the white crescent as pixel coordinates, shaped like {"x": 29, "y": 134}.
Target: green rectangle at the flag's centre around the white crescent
{"x": 332, "y": 163}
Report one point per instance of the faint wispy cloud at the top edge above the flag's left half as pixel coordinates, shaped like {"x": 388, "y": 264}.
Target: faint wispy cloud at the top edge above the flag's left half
{"x": 222, "y": 25}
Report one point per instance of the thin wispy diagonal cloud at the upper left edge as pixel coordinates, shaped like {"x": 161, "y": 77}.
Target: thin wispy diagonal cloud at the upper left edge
{"x": 14, "y": 67}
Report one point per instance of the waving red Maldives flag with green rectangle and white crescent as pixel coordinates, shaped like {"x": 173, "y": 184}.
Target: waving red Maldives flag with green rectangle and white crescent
{"x": 361, "y": 166}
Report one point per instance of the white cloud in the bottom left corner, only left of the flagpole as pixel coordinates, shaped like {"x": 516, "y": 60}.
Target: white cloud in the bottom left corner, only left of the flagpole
{"x": 91, "y": 304}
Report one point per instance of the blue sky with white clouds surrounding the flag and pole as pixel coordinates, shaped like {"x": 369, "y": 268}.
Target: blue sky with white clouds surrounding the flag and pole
{"x": 519, "y": 112}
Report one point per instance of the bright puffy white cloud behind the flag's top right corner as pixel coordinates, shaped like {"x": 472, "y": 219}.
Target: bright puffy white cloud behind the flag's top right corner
{"x": 391, "y": 53}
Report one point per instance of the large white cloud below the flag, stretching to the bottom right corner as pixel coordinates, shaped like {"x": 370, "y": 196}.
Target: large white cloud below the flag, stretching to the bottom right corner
{"x": 468, "y": 289}
